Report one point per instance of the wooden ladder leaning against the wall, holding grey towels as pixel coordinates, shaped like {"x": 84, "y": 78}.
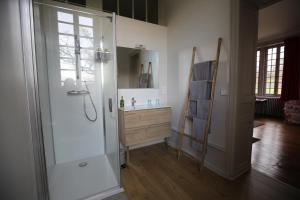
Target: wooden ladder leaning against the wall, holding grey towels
{"x": 185, "y": 113}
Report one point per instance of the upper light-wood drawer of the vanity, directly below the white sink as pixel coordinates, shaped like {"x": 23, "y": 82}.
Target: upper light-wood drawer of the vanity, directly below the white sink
{"x": 141, "y": 118}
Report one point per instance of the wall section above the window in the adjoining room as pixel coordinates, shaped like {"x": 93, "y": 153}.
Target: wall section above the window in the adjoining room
{"x": 279, "y": 20}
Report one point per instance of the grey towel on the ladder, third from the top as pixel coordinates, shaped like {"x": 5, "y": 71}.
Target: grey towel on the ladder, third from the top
{"x": 199, "y": 108}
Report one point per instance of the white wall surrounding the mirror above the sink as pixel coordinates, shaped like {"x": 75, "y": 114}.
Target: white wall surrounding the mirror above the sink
{"x": 132, "y": 32}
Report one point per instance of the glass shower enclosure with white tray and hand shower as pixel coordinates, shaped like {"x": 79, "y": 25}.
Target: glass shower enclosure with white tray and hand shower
{"x": 76, "y": 76}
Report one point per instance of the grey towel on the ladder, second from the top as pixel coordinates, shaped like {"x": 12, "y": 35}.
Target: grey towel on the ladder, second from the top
{"x": 200, "y": 90}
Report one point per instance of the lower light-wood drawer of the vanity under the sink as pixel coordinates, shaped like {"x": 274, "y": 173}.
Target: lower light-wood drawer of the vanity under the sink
{"x": 142, "y": 135}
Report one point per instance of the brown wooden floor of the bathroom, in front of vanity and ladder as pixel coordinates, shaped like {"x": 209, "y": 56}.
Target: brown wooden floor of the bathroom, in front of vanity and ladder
{"x": 156, "y": 174}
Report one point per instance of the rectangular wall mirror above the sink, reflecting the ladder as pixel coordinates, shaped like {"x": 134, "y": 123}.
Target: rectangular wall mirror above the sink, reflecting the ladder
{"x": 137, "y": 68}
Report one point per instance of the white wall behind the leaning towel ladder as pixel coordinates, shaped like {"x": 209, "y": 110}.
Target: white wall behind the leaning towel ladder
{"x": 199, "y": 23}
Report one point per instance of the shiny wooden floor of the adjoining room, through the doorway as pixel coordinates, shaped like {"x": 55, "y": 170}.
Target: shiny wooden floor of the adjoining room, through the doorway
{"x": 278, "y": 152}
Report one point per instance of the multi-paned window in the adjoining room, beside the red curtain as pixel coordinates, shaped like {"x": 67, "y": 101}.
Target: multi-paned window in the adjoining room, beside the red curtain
{"x": 269, "y": 70}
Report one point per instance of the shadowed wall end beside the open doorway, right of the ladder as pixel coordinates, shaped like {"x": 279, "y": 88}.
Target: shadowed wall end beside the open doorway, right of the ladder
{"x": 242, "y": 87}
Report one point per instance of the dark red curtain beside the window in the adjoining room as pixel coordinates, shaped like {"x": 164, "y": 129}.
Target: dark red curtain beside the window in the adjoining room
{"x": 291, "y": 72}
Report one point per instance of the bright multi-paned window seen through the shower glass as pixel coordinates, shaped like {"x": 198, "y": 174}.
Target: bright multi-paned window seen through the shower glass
{"x": 71, "y": 27}
